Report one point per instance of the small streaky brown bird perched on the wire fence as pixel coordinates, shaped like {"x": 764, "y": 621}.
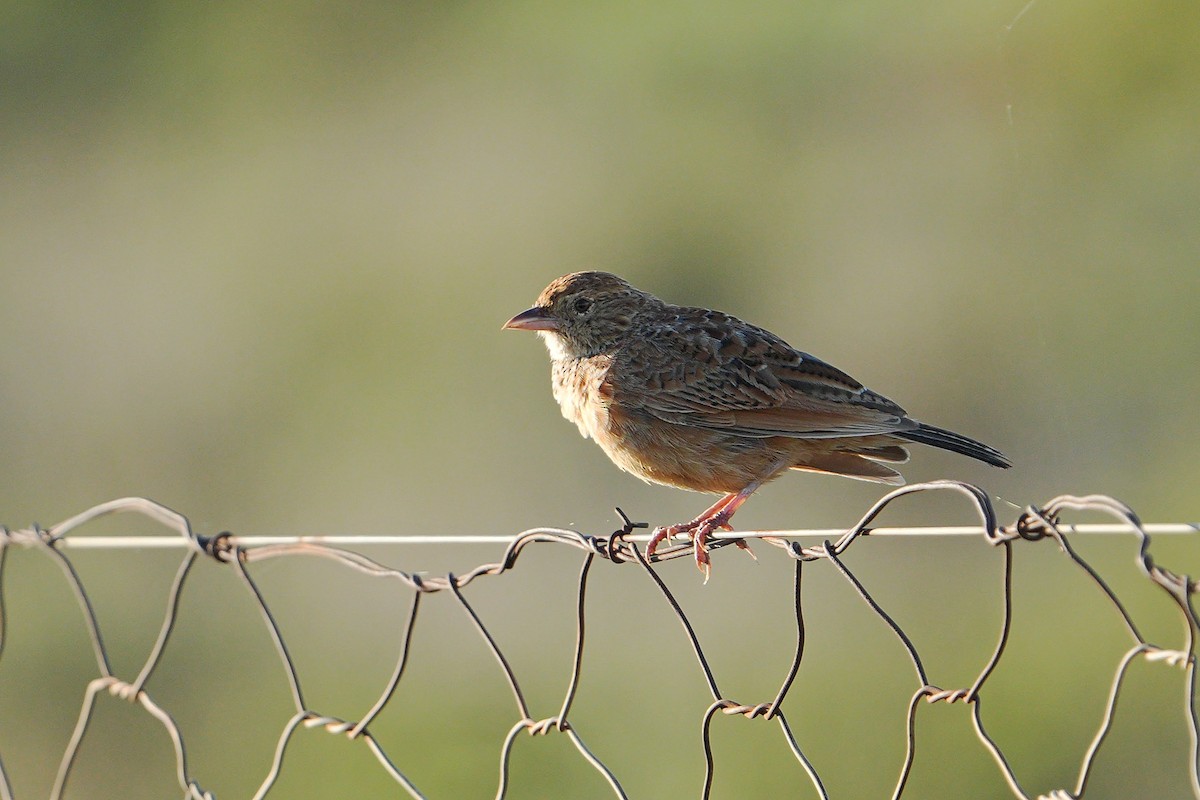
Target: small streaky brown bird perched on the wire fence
{"x": 707, "y": 402}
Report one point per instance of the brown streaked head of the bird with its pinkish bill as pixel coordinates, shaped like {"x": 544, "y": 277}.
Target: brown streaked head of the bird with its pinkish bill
{"x": 585, "y": 314}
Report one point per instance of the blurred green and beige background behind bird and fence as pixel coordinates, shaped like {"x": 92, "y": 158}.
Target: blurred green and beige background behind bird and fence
{"x": 255, "y": 260}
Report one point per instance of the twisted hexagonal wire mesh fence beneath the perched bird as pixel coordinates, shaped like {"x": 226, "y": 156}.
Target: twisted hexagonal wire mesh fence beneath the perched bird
{"x": 622, "y": 548}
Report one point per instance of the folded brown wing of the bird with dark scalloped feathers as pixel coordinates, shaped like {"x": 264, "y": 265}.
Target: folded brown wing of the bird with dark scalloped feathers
{"x": 709, "y": 370}
